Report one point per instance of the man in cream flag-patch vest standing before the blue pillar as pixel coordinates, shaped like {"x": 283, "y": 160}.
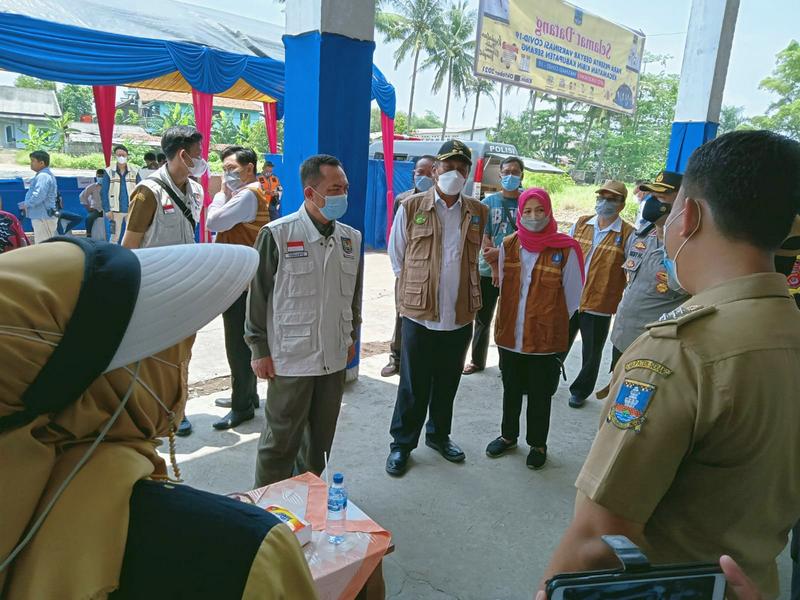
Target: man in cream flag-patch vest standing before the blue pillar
{"x": 303, "y": 312}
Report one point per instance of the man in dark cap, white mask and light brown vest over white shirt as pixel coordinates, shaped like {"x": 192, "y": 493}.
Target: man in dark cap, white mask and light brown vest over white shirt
{"x": 434, "y": 248}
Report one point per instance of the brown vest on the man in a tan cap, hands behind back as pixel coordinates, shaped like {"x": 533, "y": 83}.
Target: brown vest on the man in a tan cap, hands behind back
{"x": 605, "y": 281}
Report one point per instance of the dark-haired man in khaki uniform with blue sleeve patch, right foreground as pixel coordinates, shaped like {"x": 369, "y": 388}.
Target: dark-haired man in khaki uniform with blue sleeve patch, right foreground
{"x": 698, "y": 453}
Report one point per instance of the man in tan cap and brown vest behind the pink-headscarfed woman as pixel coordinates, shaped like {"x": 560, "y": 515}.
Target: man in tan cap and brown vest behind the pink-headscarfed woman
{"x": 605, "y": 239}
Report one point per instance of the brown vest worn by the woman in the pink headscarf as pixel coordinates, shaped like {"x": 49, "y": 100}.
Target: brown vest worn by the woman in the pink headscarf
{"x": 546, "y": 328}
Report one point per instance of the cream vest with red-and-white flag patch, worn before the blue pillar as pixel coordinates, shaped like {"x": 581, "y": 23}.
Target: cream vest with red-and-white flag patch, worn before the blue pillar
{"x": 310, "y": 316}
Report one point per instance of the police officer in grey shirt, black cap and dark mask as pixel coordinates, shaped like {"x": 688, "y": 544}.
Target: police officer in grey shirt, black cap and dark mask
{"x": 647, "y": 293}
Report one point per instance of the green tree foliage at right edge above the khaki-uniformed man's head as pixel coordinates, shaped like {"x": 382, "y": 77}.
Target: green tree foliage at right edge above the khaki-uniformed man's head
{"x": 783, "y": 115}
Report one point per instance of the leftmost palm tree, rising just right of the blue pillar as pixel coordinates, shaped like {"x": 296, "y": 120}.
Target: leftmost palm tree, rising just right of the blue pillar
{"x": 413, "y": 26}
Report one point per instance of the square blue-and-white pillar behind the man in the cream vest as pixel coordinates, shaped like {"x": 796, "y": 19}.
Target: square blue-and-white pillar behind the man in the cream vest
{"x": 329, "y": 46}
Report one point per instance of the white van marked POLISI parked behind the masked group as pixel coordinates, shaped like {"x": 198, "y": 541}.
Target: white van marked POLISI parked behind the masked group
{"x": 484, "y": 178}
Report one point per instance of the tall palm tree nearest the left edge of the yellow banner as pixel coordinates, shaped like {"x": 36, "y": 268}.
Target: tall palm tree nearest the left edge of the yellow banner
{"x": 452, "y": 55}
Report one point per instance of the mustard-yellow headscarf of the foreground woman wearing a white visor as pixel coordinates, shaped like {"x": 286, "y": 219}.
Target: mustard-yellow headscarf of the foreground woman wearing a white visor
{"x": 39, "y": 288}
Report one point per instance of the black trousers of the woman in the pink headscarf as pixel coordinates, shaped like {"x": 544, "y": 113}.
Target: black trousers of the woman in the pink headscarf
{"x": 536, "y": 376}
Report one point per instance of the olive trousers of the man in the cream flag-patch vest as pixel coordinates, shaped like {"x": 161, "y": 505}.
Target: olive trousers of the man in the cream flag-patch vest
{"x": 293, "y": 405}
